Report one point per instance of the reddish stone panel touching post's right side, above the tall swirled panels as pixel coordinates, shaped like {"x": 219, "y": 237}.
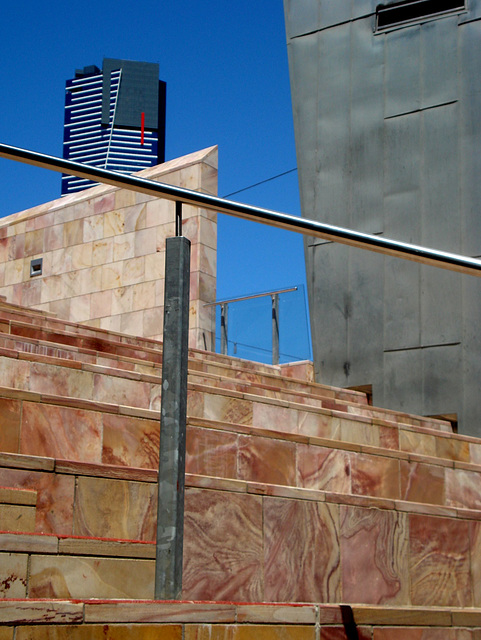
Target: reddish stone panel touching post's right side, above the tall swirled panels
{"x": 211, "y": 453}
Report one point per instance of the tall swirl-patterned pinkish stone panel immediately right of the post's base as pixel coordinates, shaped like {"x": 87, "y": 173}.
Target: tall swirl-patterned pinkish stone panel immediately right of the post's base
{"x": 223, "y": 557}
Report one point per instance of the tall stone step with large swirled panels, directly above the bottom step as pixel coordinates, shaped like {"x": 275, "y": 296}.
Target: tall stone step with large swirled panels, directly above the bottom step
{"x": 240, "y": 535}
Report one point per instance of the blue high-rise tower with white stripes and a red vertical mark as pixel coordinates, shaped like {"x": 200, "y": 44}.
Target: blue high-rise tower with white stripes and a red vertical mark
{"x": 114, "y": 119}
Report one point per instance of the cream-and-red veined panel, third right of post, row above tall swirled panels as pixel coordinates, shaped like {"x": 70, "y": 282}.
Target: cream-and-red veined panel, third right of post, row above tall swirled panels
{"x": 324, "y": 469}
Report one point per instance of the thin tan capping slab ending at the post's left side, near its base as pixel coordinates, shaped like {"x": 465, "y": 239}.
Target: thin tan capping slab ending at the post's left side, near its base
{"x": 99, "y": 547}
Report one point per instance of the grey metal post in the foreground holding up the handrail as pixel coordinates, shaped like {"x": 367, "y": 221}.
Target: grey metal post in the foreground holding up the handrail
{"x": 170, "y": 514}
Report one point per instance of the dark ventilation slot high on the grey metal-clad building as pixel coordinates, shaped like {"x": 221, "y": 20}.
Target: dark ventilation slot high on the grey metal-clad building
{"x": 414, "y": 11}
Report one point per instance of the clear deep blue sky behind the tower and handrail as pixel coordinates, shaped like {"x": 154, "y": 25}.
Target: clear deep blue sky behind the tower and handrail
{"x": 225, "y": 65}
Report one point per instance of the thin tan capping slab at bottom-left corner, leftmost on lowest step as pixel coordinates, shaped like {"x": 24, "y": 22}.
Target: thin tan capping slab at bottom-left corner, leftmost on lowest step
{"x": 46, "y": 612}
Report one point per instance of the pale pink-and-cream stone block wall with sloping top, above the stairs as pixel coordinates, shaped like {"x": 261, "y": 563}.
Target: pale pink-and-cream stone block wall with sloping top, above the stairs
{"x": 103, "y": 253}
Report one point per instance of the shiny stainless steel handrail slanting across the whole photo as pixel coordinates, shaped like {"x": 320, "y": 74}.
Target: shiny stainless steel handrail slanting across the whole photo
{"x": 379, "y": 244}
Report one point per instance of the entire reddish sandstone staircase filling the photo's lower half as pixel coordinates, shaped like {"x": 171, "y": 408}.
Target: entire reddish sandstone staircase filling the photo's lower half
{"x": 309, "y": 513}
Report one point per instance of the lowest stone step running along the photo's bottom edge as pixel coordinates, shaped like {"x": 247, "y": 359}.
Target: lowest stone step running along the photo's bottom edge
{"x": 144, "y": 620}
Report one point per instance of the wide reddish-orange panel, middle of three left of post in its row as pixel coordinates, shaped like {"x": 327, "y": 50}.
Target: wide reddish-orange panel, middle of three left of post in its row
{"x": 59, "y": 432}
